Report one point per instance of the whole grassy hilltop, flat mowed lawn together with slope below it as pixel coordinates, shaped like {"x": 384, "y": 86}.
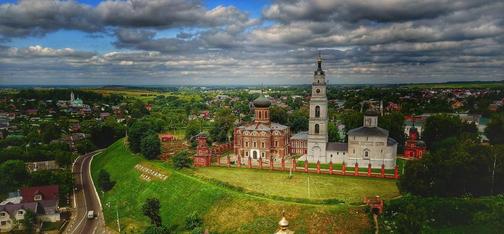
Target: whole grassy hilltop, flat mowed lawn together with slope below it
{"x": 227, "y": 210}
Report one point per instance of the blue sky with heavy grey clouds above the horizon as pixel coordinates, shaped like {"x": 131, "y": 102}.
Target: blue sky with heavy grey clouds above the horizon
{"x": 219, "y": 42}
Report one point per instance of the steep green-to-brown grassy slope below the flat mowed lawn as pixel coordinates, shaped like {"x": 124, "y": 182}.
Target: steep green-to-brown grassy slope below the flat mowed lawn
{"x": 222, "y": 209}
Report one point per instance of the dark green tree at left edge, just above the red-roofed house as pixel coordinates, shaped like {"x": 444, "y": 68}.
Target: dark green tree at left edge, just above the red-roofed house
{"x": 13, "y": 174}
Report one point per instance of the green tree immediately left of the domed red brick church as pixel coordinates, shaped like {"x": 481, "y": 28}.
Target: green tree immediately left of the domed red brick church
{"x": 223, "y": 125}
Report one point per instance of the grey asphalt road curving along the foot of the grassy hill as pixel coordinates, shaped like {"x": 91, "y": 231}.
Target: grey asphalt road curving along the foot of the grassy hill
{"x": 85, "y": 199}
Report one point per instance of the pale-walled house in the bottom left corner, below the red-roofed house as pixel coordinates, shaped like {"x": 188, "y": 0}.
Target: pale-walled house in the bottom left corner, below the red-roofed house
{"x": 12, "y": 214}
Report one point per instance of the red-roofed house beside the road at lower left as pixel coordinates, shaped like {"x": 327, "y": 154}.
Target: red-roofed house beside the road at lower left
{"x": 47, "y": 198}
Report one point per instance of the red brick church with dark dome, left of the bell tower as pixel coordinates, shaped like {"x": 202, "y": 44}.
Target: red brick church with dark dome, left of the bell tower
{"x": 261, "y": 138}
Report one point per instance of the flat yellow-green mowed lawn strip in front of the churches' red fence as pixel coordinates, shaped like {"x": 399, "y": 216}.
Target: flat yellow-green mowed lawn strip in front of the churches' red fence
{"x": 302, "y": 185}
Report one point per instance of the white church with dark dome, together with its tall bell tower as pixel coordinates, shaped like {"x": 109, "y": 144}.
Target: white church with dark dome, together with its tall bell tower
{"x": 366, "y": 145}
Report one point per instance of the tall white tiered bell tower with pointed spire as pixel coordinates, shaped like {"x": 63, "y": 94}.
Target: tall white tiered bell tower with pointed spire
{"x": 317, "y": 129}
